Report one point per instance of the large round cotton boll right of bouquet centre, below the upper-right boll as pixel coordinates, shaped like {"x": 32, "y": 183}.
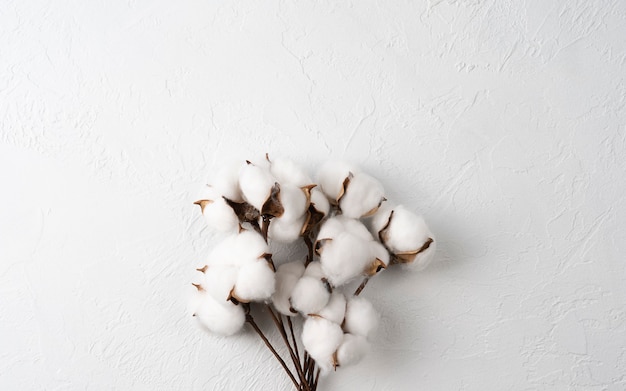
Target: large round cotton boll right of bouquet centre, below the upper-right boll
{"x": 344, "y": 258}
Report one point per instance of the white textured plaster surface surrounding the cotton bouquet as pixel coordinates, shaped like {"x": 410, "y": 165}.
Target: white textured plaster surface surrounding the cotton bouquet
{"x": 503, "y": 122}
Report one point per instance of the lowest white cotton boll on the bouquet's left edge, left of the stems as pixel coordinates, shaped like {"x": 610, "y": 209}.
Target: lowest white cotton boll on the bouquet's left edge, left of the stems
{"x": 223, "y": 318}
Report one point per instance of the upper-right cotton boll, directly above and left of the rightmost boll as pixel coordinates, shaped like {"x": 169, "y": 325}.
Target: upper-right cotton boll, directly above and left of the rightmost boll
{"x": 363, "y": 196}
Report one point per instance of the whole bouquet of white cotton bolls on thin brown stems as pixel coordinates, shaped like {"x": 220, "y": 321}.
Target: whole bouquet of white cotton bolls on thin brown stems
{"x": 351, "y": 233}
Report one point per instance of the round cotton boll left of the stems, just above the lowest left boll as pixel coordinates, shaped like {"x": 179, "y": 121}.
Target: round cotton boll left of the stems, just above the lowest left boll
{"x": 256, "y": 282}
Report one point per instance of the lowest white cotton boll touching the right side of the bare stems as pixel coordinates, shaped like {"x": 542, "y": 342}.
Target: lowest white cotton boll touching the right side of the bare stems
{"x": 321, "y": 338}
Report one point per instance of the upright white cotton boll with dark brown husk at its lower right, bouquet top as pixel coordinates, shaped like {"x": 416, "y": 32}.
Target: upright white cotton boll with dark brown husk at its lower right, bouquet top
{"x": 259, "y": 188}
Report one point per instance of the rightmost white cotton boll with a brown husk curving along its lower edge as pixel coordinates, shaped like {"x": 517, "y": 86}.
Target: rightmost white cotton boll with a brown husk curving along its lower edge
{"x": 407, "y": 237}
